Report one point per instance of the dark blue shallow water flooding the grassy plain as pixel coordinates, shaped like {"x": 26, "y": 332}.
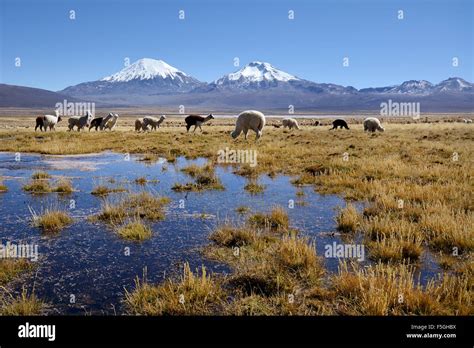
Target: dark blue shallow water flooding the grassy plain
{"x": 87, "y": 262}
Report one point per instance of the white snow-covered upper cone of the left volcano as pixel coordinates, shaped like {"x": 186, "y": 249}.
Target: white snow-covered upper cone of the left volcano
{"x": 146, "y": 69}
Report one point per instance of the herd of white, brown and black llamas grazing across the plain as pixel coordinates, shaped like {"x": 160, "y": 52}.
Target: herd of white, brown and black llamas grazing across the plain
{"x": 247, "y": 120}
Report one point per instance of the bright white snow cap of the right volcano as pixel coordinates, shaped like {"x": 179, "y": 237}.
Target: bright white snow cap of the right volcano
{"x": 257, "y": 72}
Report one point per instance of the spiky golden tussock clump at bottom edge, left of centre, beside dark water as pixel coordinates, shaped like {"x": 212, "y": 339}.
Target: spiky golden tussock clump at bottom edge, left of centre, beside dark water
{"x": 191, "y": 294}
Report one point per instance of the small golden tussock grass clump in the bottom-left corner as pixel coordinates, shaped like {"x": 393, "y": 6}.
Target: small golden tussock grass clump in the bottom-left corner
{"x": 22, "y": 305}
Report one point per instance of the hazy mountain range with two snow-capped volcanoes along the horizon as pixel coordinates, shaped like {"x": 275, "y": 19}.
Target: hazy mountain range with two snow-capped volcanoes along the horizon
{"x": 259, "y": 85}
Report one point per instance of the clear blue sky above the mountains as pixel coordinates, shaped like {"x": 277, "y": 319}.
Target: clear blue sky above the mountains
{"x": 57, "y": 52}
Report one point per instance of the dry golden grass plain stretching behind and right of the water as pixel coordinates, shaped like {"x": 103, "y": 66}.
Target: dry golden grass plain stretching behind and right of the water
{"x": 416, "y": 180}
